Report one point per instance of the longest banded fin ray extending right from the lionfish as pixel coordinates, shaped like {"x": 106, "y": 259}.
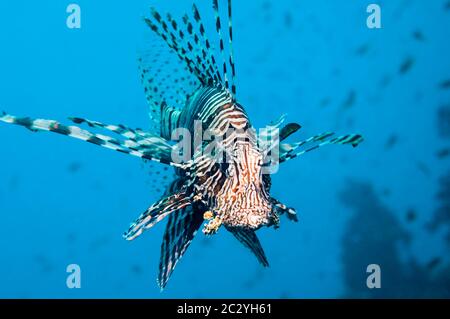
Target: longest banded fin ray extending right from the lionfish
{"x": 290, "y": 151}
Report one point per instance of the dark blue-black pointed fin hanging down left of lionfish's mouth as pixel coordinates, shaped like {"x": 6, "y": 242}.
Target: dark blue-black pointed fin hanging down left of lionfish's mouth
{"x": 181, "y": 229}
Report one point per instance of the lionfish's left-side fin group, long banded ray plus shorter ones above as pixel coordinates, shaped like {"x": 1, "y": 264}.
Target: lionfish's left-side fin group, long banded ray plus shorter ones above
{"x": 139, "y": 144}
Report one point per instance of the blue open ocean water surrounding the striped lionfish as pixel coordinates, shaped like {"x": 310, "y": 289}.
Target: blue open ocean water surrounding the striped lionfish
{"x": 386, "y": 202}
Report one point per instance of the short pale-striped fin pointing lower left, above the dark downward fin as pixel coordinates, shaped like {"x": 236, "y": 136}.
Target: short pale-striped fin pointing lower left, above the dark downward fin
{"x": 156, "y": 213}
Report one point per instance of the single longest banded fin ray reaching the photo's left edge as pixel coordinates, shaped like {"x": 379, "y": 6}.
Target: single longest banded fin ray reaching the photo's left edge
{"x": 158, "y": 152}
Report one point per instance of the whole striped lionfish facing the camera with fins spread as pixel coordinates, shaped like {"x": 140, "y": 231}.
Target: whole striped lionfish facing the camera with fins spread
{"x": 234, "y": 193}
